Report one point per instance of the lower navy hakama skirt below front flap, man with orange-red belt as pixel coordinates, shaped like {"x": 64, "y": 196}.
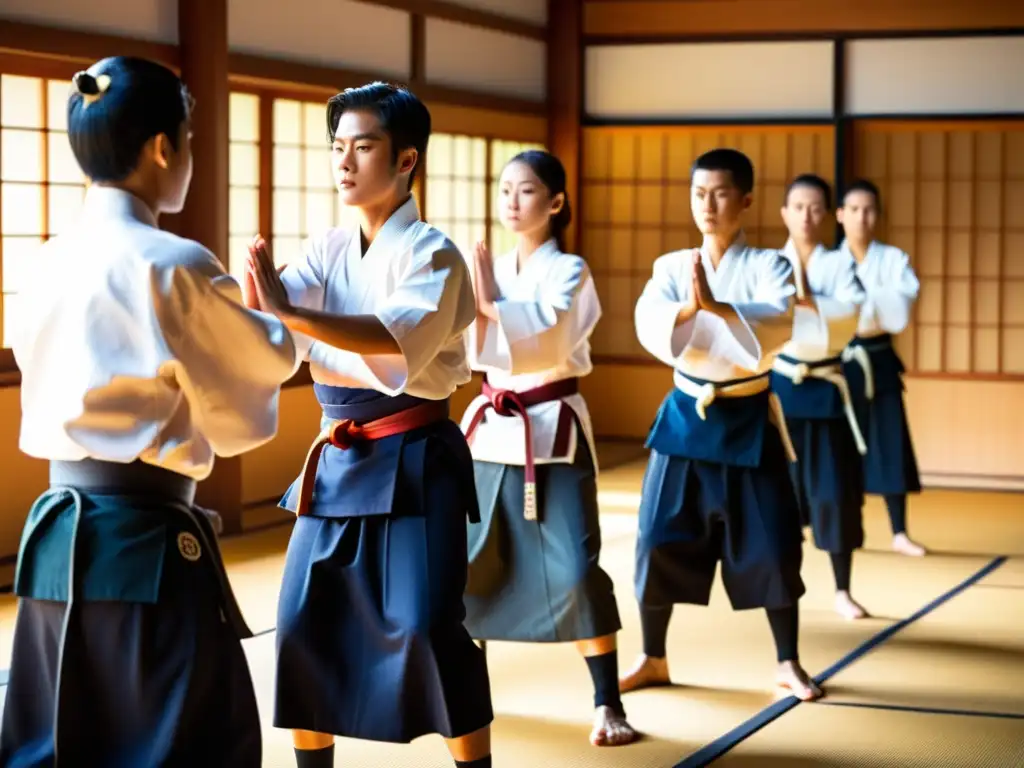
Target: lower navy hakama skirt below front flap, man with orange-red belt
{"x": 371, "y": 643}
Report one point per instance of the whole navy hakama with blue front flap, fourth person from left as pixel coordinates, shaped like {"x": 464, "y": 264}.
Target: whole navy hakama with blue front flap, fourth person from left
{"x": 718, "y": 490}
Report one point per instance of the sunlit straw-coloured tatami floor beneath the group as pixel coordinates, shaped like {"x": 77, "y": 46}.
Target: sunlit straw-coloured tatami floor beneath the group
{"x": 963, "y": 656}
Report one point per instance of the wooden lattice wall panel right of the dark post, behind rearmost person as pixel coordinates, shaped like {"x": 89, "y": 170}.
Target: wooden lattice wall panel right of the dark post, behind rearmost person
{"x": 954, "y": 199}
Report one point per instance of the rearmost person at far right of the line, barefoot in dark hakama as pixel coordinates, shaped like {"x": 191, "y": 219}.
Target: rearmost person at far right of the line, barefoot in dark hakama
{"x": 875, "y": 370}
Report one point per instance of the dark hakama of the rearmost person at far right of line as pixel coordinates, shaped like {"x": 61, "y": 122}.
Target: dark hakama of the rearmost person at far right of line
{"x": 891, "y": 466}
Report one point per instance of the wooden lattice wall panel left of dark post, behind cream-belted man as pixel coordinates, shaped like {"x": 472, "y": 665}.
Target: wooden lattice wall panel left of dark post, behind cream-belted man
{"x": 636, "y": 204}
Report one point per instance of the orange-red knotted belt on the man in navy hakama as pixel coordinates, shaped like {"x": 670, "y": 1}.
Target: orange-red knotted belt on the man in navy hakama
{"x": 346, "y": 433}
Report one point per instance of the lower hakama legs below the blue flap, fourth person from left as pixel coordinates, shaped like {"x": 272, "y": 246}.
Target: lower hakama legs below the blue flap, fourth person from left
{"x": 695, "y": 514}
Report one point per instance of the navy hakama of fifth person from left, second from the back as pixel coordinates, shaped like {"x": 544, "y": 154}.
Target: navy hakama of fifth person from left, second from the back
{"x": 829, "y": 477}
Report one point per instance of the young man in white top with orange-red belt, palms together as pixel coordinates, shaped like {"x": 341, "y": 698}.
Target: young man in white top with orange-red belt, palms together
{"x": 371, "y": 643}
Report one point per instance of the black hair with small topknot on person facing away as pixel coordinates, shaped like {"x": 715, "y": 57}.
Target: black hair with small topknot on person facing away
{"x": 116, "y": 107}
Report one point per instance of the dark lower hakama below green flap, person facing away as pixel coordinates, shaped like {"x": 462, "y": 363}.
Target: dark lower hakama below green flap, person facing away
{"x": 141, "y": 686}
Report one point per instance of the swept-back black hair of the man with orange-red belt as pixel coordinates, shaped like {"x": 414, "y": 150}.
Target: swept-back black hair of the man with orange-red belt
{"x": 403, "y": 116}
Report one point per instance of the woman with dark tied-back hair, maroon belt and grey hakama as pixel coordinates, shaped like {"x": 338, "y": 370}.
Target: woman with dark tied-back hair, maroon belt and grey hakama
{"x": 534, "y": 574}
